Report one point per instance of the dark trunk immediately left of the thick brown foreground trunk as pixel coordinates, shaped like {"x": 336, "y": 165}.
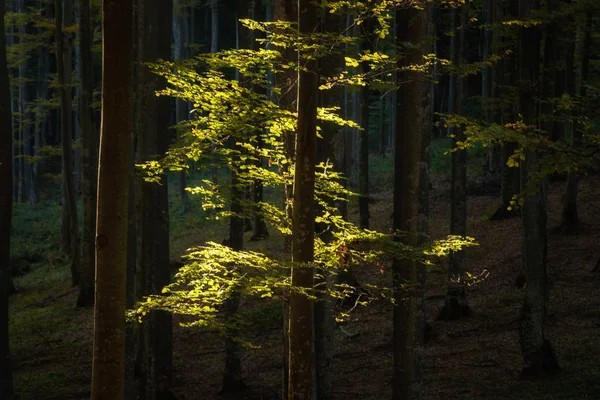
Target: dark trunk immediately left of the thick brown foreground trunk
{"x": 89, "y": 158}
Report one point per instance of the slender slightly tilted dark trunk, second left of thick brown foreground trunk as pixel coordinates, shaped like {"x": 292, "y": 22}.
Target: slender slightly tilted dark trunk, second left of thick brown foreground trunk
{"x": 63, "y": 60}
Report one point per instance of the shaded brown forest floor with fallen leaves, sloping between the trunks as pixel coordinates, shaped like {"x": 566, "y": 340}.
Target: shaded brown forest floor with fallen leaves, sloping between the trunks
{"x": 475, "y": 358}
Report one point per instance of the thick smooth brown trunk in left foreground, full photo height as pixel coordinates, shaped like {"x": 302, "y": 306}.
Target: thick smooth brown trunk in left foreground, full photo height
{"x": 108, "y": 365}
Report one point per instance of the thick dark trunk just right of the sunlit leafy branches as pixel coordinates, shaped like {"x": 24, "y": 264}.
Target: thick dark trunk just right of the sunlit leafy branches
{"x": 412, "y": 114}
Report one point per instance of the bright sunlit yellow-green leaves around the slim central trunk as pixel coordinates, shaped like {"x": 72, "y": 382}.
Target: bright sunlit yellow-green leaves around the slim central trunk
{"x": 229, "y": 117}
